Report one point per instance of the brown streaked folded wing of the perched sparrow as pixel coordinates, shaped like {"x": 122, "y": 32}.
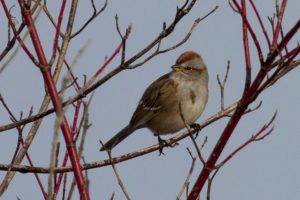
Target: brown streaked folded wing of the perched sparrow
{"x": 158, "y": 96}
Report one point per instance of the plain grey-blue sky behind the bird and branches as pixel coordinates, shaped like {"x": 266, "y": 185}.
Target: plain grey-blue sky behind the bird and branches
{"x": 264, "y": 170}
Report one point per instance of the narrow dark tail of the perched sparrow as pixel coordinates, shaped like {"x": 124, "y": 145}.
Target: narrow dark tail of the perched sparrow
{"x": 119, "y": 137}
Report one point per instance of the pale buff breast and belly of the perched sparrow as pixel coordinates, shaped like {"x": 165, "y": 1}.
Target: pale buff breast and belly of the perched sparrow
{"x": 188, "y": 103}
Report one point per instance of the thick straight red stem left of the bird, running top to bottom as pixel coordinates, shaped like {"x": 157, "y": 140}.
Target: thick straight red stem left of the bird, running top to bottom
{"x": 55, "y": 100}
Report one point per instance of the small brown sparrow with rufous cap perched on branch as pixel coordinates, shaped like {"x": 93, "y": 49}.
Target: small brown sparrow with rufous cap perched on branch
{"x": 171, "y": 102}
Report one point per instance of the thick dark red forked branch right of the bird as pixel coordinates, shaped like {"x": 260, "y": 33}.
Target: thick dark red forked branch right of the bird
{"x": 248, "y": 97}
